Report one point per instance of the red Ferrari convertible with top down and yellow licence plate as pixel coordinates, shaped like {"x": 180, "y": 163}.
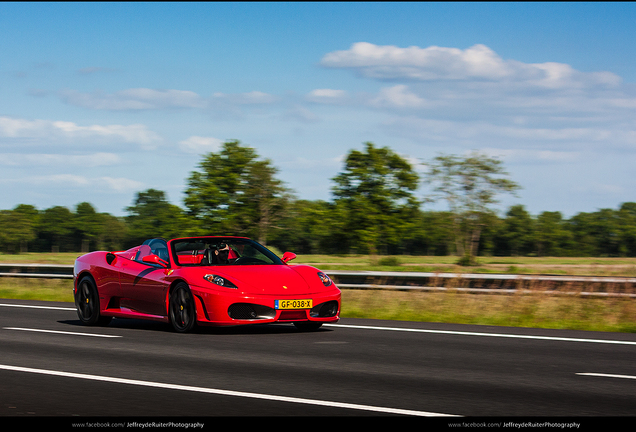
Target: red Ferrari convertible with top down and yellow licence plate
{"x": 203, "y": 281}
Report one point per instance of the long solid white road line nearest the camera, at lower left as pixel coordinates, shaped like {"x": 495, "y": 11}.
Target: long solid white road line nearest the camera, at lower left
{"x": 226, "y": 392}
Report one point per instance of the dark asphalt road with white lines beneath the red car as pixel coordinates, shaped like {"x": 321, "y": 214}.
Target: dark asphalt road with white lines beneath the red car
{"x": 51, "y": 365}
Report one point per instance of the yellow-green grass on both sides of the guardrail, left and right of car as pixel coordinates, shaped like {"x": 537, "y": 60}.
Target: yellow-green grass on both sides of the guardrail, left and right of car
{"x": 517, "y": 309}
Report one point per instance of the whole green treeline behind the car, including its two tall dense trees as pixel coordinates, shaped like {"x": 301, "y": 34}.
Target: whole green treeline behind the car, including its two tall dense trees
{"x": 374, "y": 210}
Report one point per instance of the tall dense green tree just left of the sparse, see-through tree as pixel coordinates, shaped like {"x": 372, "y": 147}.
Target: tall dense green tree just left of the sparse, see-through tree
{"x": 376, "y": 192}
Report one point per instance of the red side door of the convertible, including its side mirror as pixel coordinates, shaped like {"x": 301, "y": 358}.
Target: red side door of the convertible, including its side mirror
{"x": 144, "y": 286}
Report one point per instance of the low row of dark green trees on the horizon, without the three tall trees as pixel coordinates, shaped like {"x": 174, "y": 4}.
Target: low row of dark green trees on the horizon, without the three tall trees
{"x": 317, "y": 227}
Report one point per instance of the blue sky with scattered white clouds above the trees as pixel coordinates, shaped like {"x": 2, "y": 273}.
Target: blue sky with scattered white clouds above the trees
{"x": 99, "y": 101}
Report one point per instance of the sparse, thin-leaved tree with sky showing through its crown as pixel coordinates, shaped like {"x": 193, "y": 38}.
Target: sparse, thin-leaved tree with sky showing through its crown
{"x": 470, "y": 186}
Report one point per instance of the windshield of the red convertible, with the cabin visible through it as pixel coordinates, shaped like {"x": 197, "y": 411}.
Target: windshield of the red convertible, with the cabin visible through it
{"x": 202, "y": 251}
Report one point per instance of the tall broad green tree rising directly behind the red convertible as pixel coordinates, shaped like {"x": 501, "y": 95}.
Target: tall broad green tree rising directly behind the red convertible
{"x": 236, "y": 193}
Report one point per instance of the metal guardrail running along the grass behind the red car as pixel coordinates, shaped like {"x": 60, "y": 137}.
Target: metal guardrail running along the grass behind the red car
{"x": 462, "y": 282}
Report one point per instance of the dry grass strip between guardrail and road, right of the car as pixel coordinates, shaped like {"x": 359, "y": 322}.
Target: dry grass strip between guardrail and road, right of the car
{"x": 516, "y": 310}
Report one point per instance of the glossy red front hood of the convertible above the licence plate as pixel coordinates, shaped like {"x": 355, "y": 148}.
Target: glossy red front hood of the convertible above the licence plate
{"x": 266, "y": 279}
